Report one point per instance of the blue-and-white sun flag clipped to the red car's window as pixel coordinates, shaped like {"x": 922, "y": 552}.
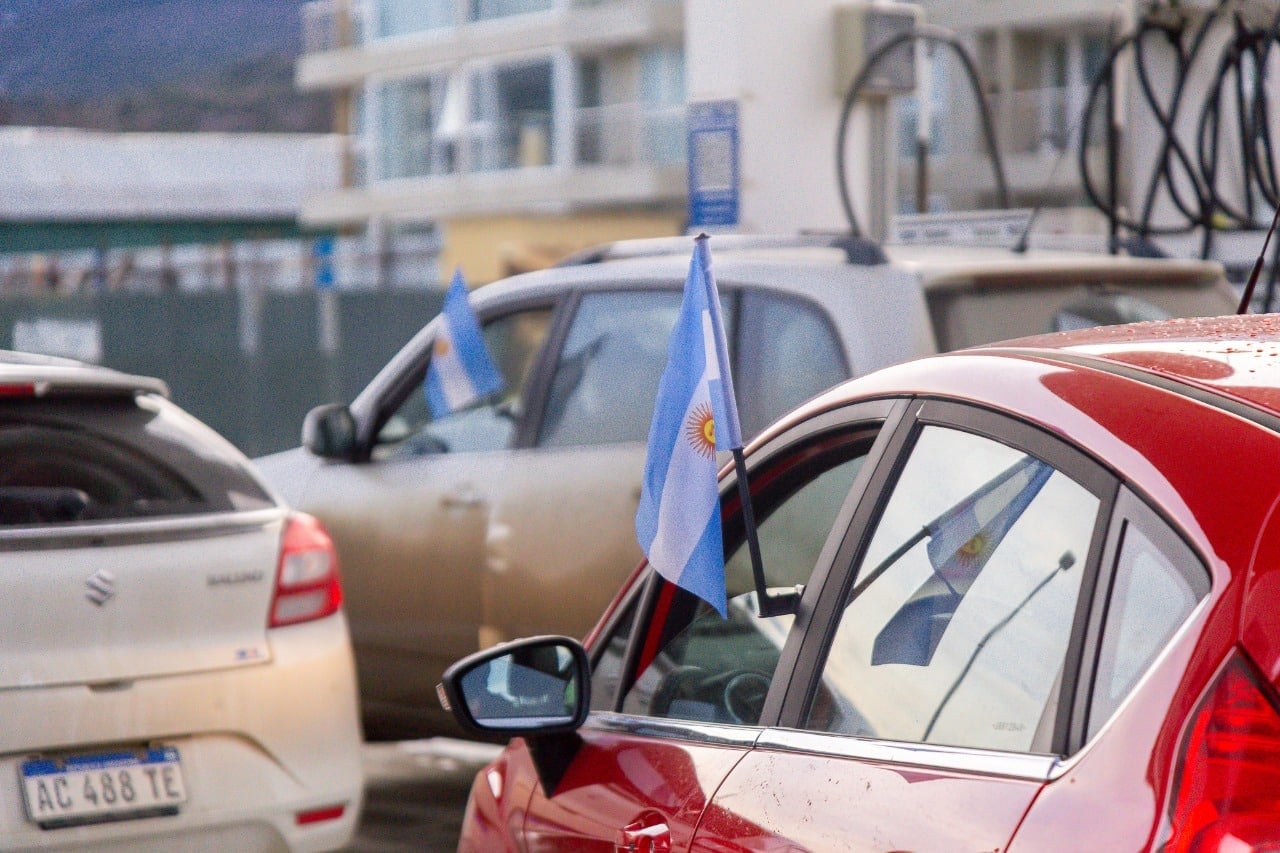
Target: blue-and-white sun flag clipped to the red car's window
{"x": 679, "y": 522}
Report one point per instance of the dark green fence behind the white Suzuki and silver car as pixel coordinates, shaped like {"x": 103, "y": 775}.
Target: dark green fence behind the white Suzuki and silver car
{"x": 249, "y": 364}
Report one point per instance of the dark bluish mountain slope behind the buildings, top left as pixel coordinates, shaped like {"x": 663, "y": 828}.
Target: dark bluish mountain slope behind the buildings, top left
{"x": 156, "y": 66}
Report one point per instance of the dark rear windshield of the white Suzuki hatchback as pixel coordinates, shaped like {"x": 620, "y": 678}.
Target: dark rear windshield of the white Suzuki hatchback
{"x": 71, "y": 460}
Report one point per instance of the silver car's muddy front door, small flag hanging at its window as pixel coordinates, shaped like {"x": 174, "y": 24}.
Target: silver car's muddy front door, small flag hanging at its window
{"x": 410, "y": 523}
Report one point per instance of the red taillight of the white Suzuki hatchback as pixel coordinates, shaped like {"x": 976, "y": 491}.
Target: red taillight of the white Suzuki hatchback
{"x": 307, "y": 582}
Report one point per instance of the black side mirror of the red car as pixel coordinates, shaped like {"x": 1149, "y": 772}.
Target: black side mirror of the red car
{"x": 536, "y": 688}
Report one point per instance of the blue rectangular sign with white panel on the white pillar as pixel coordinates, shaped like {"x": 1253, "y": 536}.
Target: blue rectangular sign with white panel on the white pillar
{"x": 714, "y": 166}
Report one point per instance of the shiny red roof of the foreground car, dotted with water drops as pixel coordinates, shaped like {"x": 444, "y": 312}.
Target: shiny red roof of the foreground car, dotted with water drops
{"x": 1236, "y": 357}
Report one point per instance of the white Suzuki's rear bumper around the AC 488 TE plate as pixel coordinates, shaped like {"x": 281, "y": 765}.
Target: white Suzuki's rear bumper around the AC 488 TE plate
{"x": 259, "y": 745}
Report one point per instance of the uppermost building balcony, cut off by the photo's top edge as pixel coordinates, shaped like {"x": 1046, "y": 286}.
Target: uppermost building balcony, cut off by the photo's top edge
{"x": 340, "y": 51}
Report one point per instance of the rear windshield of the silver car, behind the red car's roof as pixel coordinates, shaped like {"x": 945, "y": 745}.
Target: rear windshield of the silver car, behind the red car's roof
{"x": 966, "y": 317}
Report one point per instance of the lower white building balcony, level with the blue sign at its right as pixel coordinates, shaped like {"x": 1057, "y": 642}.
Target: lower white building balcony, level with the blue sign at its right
{"x": 620, "y": 156}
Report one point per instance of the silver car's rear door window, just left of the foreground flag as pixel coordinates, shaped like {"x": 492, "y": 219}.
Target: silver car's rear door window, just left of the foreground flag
{"x": 607, "y": 377}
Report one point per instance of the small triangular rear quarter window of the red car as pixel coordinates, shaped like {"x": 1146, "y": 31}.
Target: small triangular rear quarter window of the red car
{"x": 1154, "y": 592}
